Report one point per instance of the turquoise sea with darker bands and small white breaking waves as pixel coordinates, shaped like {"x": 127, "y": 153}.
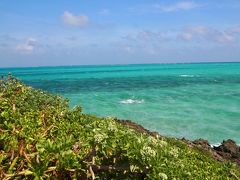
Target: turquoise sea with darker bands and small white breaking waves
{"x": 179, "y": 100}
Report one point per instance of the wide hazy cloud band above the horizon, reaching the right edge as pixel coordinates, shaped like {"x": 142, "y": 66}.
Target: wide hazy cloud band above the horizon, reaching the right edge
{"x": 153, "y": 43}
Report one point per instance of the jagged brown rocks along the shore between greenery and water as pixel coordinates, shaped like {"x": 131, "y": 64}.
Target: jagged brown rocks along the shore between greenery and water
{"x": 227, "y": 151}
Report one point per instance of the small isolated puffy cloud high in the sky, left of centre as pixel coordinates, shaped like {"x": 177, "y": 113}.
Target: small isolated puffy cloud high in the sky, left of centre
{"x": 75, "y": 20}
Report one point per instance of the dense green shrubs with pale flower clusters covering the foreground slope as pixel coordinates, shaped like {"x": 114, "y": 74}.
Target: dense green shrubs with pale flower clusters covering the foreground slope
{"x": 42, "y": 138}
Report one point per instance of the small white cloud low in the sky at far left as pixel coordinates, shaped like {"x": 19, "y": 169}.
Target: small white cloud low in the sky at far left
{"x": 28, "y": 46}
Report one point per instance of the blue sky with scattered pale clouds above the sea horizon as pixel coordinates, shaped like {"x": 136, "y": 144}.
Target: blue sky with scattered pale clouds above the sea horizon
{"x": 87, "y": 32}
